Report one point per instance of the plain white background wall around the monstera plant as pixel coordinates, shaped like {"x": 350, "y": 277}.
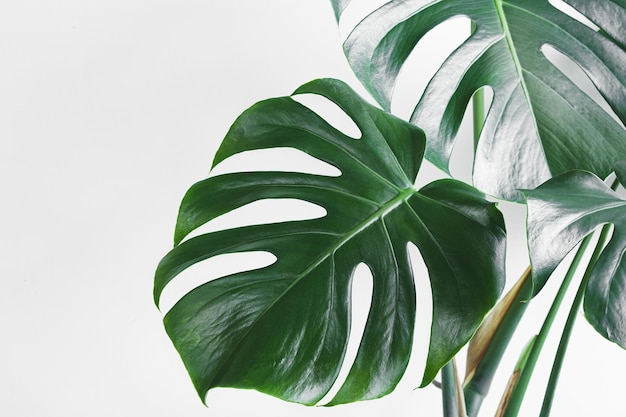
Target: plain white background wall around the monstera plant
{"x": 109, "y": 111}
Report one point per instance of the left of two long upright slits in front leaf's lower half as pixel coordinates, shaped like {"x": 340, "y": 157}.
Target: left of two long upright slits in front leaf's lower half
{"x": 361, "y": 300}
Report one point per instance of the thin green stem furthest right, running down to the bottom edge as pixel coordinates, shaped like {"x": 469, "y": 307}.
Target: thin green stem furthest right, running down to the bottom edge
{"x": 569, "y": 324}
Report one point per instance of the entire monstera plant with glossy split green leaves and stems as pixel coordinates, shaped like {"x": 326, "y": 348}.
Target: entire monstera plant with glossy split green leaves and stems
{"x": 545, "y": 140}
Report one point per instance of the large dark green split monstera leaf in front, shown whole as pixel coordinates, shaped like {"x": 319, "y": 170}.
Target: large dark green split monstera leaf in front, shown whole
{"x": 283, "y": 329}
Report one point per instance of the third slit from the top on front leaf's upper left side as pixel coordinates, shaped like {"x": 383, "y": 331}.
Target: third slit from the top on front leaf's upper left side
{"x": 275, "y": 210}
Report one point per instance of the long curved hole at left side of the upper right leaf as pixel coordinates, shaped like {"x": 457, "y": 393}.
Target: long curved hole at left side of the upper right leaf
{"x": 425, "y": 60}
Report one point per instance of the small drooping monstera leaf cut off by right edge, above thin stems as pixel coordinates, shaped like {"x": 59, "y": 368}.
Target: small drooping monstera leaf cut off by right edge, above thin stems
{"x": 562, "y": 212}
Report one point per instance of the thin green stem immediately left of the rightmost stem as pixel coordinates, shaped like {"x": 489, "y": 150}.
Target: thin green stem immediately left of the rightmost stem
{"x": 517, "y": 396}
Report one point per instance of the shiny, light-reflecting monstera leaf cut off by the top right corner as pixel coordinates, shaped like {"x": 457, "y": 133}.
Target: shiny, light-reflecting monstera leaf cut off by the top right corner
{"x": 540, "y": 123}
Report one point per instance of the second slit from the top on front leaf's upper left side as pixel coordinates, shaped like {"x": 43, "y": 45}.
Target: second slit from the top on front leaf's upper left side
{"x": 275, "y": 159}
